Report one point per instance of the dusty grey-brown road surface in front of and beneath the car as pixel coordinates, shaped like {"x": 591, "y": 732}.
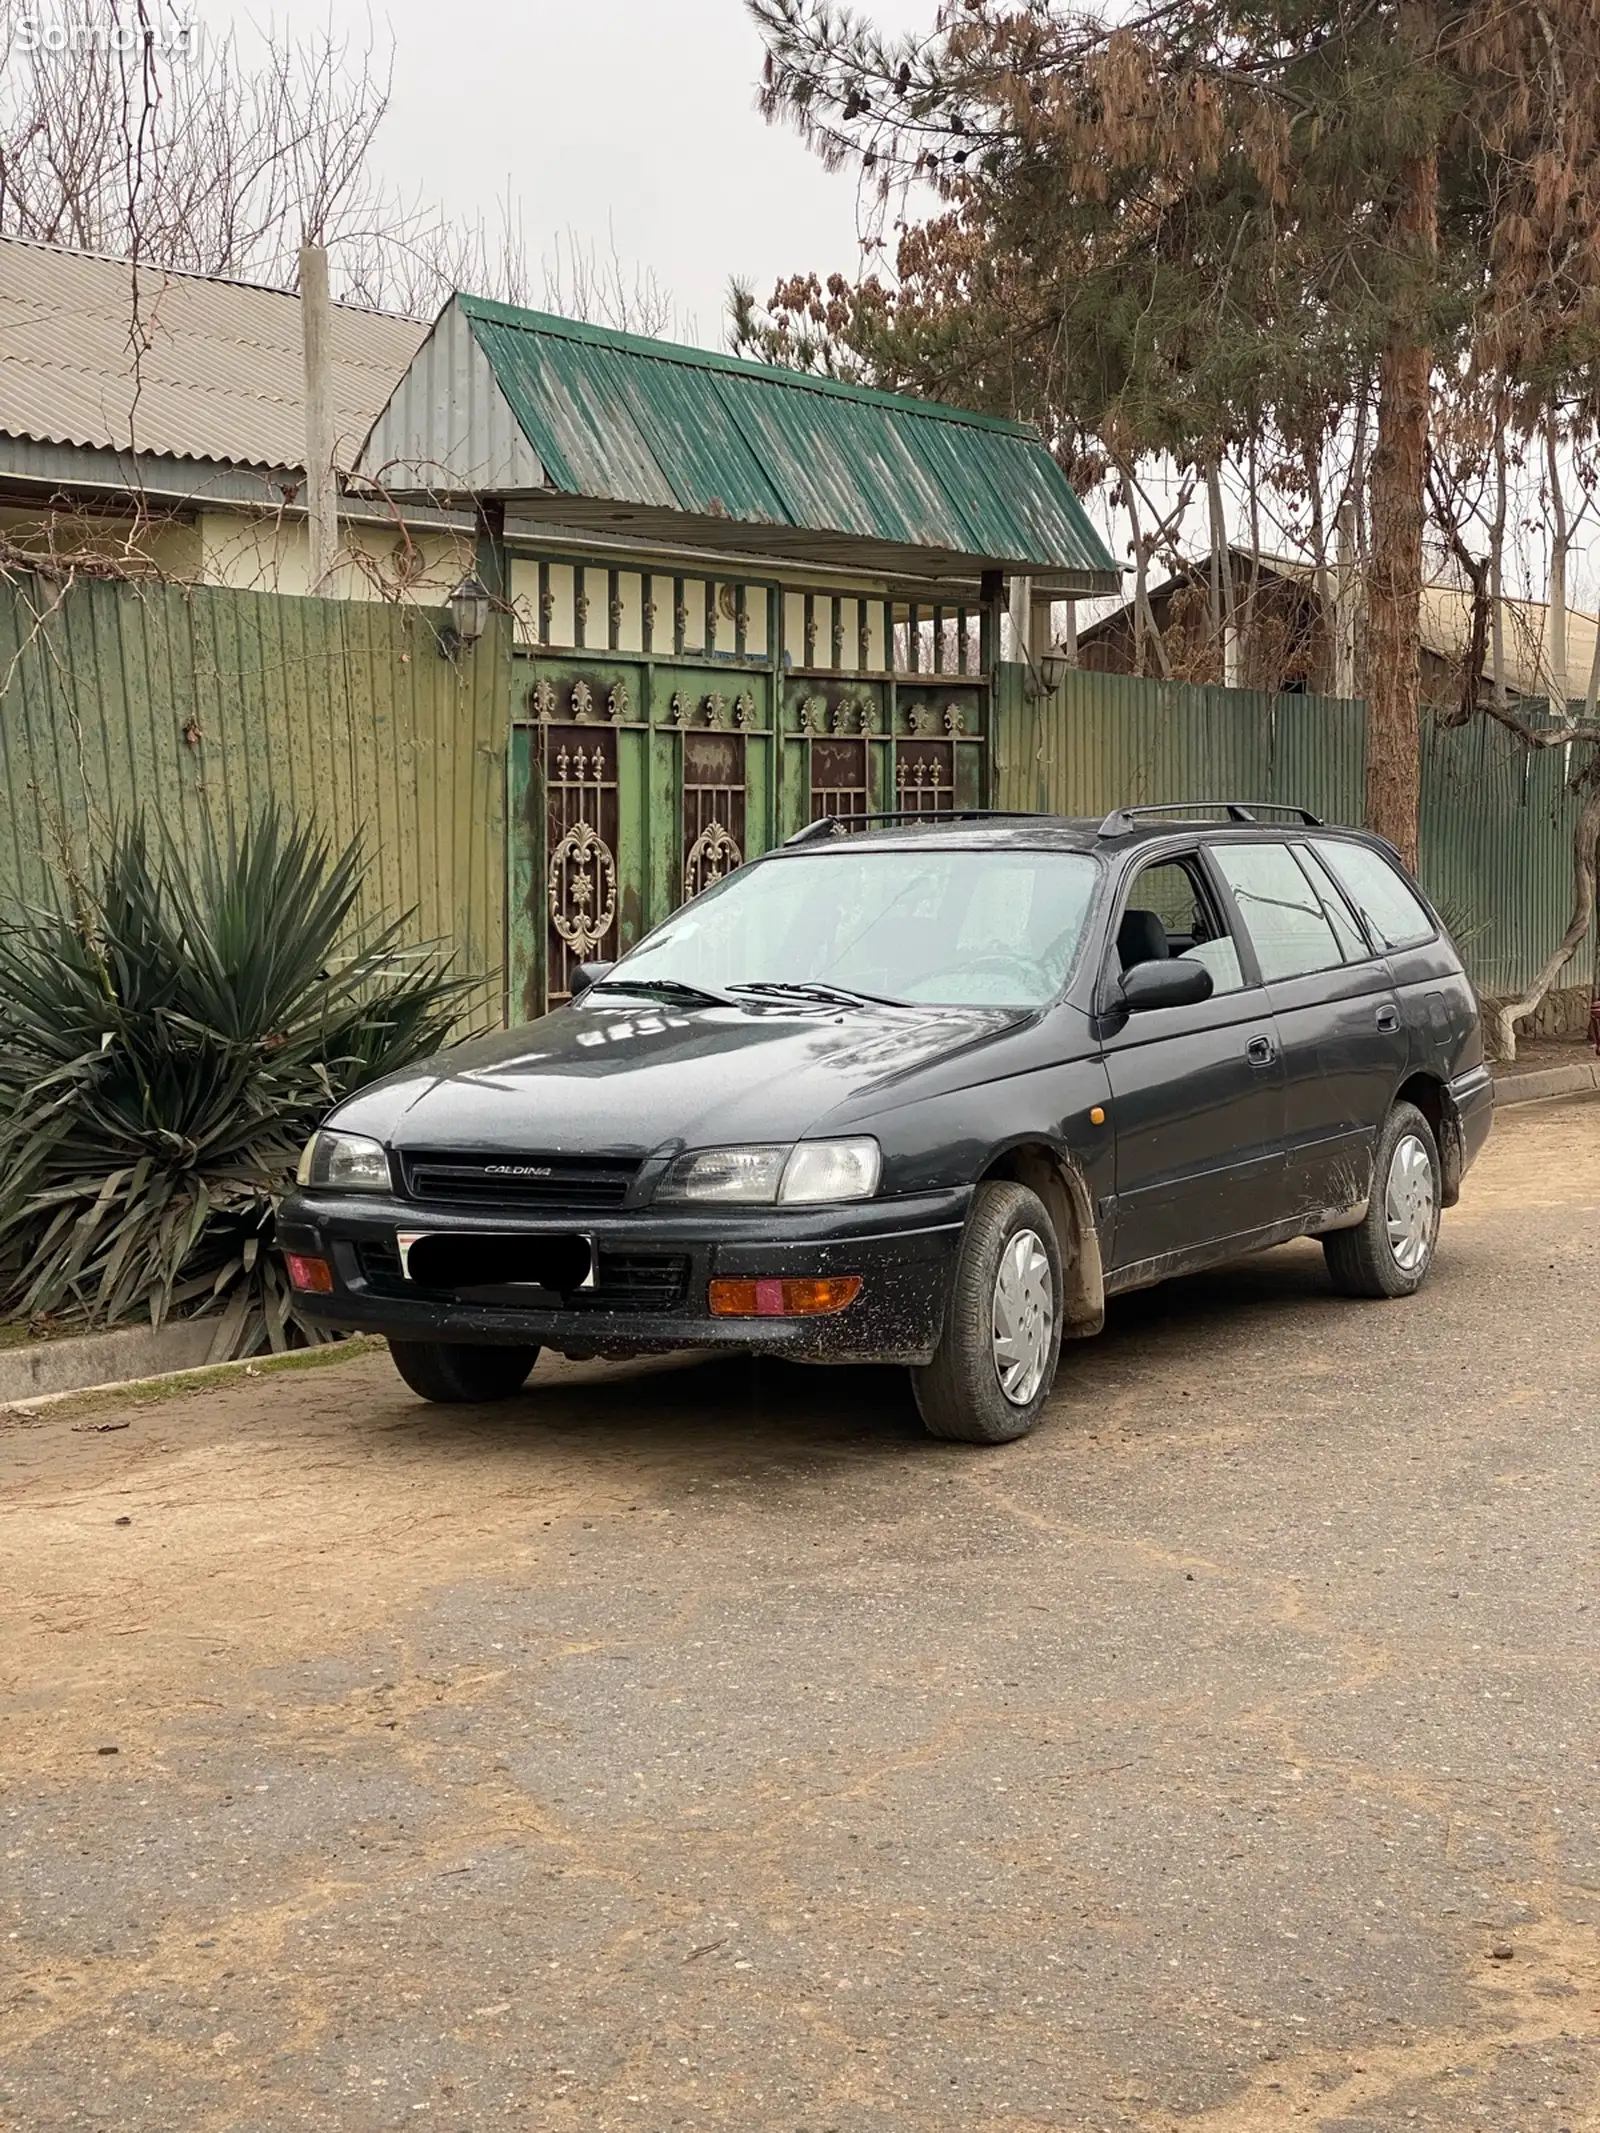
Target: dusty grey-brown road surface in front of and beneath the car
{"x": 699, "y": 1746}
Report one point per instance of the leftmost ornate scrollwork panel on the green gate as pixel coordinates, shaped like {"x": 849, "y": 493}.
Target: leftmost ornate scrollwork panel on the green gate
{"x": 581, "y": 884}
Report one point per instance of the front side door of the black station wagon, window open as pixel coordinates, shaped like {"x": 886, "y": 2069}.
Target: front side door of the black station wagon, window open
{"x": 1198, "y": 1093}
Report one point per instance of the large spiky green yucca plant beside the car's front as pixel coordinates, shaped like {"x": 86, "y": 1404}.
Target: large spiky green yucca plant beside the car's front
{"x": 170, "y": 1036}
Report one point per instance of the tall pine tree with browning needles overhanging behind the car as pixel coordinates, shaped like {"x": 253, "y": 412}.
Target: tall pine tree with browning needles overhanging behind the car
{"x": 1166, "y": 231}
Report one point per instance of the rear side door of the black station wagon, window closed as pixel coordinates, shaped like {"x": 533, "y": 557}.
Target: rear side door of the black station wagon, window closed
{"x": 1337, "y": 1012}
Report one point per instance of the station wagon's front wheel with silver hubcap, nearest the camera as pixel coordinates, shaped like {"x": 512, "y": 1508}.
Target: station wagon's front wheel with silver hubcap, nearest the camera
{"x": 1002, "y": 1324}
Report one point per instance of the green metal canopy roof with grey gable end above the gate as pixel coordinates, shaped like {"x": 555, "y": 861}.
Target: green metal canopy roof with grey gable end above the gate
{"x": 609, "y": 432}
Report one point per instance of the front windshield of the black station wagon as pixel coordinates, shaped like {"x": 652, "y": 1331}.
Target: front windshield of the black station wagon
{"x": 946, "y": 929}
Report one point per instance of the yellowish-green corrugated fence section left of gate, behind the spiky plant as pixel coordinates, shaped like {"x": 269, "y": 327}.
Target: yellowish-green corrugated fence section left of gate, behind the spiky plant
{"x": 193, "y": 701}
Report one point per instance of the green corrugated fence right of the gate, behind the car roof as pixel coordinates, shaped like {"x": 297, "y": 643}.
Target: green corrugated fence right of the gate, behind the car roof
{"x": 1497, "y": 822}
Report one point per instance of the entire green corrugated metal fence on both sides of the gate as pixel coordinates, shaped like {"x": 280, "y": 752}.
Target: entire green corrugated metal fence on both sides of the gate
{"x": 191, "y": 701}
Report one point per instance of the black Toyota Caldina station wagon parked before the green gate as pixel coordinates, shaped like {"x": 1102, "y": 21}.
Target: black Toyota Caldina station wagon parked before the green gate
{"x": 921, "y": 1093}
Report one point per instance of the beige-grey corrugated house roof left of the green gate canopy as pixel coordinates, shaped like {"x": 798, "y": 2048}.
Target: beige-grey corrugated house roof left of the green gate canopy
{"x": 221, "y": 379}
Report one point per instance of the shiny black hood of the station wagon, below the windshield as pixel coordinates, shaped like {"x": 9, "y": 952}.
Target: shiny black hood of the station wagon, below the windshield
{"x": 624, "y": 1076}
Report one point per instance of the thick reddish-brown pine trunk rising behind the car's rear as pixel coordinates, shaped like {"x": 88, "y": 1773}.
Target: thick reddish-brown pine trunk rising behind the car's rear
{"x": 1396, "y": 575}
